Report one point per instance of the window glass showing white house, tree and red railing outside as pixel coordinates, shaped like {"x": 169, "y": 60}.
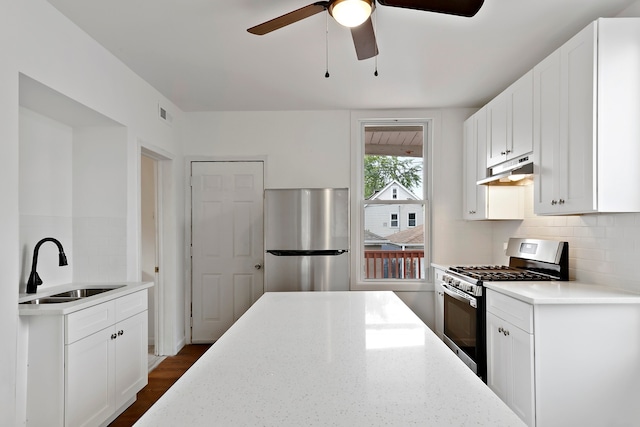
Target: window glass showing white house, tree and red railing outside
{"x": 394, "y": 232}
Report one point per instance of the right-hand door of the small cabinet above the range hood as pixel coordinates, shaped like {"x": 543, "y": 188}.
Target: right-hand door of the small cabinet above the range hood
{"x": 520, "y": 117}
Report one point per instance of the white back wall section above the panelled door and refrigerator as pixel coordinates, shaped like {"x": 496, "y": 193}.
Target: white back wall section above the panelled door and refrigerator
{"x": 302, "y": 148}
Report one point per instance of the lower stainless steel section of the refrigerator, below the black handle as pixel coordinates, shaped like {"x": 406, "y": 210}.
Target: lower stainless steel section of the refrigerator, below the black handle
{"x": 307, "y": 273}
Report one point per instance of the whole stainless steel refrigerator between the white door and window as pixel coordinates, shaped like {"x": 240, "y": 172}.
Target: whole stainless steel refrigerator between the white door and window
{"x": 307, "y": 239}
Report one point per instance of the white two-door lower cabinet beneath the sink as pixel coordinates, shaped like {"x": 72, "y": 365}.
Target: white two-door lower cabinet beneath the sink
{"x": 104, "y": 348}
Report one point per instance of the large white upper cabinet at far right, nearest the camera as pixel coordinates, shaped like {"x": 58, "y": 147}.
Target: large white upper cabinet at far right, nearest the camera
{"x": 586, "y": 109}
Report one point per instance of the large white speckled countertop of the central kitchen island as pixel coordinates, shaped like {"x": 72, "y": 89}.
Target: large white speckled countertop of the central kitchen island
{"x": 329, "y": 358}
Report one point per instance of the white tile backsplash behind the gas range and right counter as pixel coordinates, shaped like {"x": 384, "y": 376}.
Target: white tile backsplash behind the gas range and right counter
{"x": 603, "y": 248}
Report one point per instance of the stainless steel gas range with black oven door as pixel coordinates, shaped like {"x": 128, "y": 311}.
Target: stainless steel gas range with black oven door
{"x": 464, "y": 293}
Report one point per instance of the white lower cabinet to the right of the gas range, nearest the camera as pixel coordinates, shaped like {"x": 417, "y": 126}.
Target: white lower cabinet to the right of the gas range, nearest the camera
{"x": 565, "y": 363}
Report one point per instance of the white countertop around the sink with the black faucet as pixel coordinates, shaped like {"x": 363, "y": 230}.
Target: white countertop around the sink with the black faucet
{"x": 124, "y": 288}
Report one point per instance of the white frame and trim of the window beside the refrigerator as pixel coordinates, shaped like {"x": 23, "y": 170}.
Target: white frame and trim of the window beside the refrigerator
{"x": 430, "y": 120}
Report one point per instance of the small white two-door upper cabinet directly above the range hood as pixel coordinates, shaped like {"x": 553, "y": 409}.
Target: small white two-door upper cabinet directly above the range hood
{"x": 510, "y": 122}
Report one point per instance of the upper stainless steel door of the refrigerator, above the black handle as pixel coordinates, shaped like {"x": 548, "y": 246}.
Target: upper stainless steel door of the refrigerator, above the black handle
{"x": 307, "y": 219}
